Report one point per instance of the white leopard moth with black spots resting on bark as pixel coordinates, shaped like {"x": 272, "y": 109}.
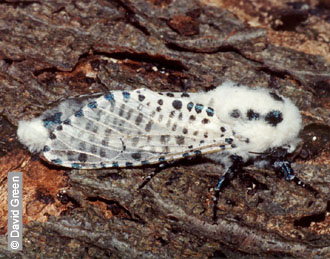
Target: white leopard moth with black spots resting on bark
{"x": 230, "y": 125}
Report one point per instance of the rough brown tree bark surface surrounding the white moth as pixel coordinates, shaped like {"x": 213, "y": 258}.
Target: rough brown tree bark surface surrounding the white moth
{"x": 51, "y": 50}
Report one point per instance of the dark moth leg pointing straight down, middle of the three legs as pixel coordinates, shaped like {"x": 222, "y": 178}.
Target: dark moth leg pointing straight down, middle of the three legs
{"x": 230, "y": 173}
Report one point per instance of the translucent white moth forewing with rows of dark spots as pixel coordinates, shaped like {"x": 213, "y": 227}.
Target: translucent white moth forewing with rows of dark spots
{"x": 137, "y": 127}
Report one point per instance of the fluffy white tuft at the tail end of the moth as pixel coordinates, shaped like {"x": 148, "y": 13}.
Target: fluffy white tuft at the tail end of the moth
{"x": 32, "y": 134}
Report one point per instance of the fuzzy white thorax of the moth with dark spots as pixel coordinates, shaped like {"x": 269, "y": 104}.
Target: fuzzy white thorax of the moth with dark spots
{"x": 261, "y": 135}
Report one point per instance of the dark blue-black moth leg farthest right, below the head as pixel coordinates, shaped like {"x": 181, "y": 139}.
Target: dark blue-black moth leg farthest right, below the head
{"x": 284, "y": 167}
